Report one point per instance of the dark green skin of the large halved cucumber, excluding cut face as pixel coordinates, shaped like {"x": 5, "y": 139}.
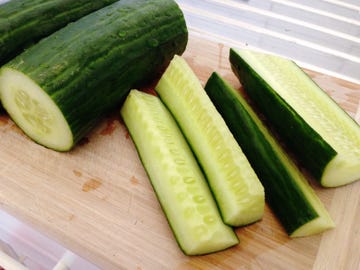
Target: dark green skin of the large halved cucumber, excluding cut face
{"x": 89, "y": 66}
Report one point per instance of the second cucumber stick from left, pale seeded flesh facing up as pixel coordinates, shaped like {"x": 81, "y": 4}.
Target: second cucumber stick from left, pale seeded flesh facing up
{"x": 237, "y": 190}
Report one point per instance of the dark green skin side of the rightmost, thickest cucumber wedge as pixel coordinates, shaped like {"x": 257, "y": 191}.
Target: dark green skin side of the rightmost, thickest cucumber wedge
{"x": 309, "y": 148}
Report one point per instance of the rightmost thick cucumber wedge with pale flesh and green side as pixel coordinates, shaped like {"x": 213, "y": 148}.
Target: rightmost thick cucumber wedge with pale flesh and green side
{"x": 324, "y": 138}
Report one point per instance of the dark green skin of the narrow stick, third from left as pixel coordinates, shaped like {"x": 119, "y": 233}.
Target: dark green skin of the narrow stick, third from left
{"x": 282, "y": 193}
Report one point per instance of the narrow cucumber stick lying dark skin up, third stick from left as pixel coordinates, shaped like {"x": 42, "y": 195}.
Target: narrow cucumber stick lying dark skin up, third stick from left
{"x": 287, "y": 191}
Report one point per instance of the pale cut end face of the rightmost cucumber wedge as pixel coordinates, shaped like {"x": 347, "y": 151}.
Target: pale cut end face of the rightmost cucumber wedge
{"x": 341, "y": 172}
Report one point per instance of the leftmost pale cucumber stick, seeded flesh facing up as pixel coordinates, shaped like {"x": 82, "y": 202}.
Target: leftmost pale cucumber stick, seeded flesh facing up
{"x": 175, "y": 176}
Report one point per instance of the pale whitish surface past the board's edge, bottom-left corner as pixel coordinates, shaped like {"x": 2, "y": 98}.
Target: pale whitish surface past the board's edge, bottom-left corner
{"x": 29, "y": 249}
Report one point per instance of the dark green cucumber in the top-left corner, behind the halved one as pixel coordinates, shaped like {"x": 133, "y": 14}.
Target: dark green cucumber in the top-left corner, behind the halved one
{"x": 24, "y": 22}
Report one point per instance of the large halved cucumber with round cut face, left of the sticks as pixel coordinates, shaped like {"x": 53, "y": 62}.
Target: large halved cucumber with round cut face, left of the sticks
{"x": 58, "y": 90}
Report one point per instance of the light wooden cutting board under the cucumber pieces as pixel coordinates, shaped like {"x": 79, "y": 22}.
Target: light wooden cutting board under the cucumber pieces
{"x": 97, "y": 200}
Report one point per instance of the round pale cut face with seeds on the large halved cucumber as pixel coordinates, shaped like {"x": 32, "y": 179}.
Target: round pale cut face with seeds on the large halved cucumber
{"x": 34, "y": 111}
